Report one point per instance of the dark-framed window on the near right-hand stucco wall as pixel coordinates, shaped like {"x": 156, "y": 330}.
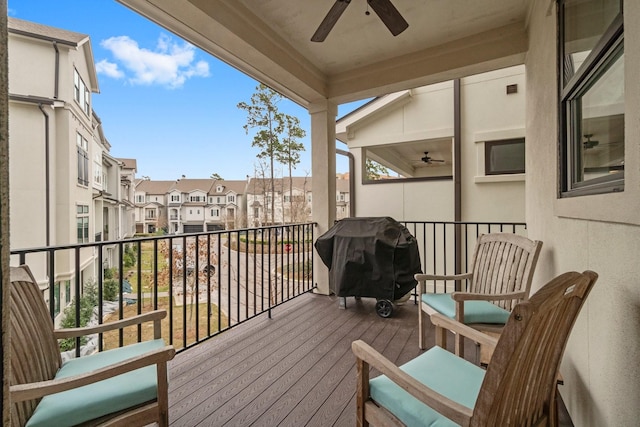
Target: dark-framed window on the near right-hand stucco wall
{"x": 592, "y": 97}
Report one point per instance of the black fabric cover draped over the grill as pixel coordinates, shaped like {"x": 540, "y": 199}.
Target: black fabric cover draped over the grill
{"x": 370, "y": 257}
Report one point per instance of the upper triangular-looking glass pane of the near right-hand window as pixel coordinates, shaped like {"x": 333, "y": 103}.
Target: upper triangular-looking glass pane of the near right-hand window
{"x": 584, "y": 24}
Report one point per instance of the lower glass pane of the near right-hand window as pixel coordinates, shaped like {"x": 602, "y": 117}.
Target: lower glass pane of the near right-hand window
{"x": 600, "y": 106}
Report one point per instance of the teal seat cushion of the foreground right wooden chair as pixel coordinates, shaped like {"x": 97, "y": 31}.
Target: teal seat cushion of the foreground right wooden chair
{"x": 441, "y": 371}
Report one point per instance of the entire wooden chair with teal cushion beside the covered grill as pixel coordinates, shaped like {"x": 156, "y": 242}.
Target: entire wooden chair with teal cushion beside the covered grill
{"x": 502, "y": 269}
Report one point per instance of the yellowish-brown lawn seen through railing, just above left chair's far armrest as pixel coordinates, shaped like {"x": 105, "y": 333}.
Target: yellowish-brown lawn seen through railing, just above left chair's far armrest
{"x": 111, "y": 339}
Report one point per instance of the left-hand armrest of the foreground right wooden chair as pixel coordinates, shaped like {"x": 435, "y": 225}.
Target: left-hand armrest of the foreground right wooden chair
{"x": 447, "y": 407}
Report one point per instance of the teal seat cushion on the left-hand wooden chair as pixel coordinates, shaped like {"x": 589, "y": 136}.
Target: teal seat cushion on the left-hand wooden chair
{"x": 82, "y": 404}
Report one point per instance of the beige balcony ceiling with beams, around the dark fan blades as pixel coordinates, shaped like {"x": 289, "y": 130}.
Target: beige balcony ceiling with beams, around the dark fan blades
{"x": 270, "y": 41}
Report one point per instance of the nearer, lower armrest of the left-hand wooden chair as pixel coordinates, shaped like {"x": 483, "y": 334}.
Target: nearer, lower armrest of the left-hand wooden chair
{"x": 37, "y": 390}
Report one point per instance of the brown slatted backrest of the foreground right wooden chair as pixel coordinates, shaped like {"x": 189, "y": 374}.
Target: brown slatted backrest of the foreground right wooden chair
{"x": 518, "y": 387}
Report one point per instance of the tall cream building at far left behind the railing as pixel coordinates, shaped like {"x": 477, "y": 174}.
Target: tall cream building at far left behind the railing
{"x": 66, "y": 187}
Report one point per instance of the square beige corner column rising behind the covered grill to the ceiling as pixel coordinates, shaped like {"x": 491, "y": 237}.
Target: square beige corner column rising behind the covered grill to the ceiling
{"x": 323, "y": 171}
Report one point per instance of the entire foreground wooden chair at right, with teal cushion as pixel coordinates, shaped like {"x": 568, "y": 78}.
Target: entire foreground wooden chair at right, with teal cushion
{"x": 517, "y": 389}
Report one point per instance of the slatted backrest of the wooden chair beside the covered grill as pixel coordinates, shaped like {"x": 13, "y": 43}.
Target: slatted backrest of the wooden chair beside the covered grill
{"x": 502, "y": 263}
